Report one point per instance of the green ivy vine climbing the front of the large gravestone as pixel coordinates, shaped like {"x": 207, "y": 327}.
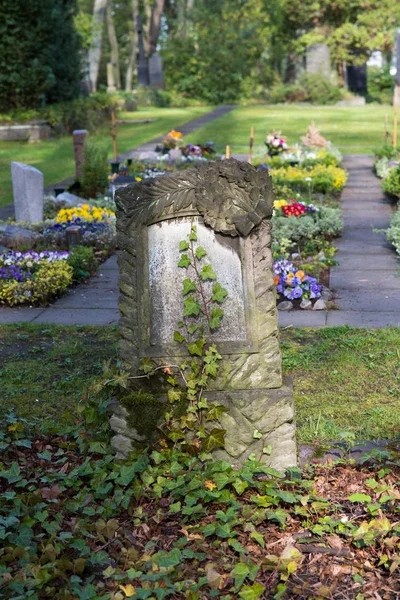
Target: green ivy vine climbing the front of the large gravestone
{"x": 202, "y": 314}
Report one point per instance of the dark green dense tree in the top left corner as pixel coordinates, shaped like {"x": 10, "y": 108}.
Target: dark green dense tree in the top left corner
{"x": 39, "y": 53}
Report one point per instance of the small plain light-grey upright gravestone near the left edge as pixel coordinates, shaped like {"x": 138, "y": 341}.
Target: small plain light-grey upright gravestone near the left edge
{"x": 28, "y": 192}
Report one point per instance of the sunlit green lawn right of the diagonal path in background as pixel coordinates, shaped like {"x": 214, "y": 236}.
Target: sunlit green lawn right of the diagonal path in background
{"x": 352, "y": 129}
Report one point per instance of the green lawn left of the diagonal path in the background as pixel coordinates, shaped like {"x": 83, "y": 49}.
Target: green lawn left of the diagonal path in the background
{"x": 55, "y": 157}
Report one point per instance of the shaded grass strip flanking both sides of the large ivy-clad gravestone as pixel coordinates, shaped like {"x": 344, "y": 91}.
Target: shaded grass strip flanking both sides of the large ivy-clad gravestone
{"x": 346, "y": 381}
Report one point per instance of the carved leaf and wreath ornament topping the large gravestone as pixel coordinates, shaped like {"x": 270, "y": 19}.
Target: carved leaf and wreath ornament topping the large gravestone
{"x": 232, "y": 197}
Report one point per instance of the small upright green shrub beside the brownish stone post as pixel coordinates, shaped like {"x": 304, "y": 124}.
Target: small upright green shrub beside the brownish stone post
{"x": 94, "y": 169}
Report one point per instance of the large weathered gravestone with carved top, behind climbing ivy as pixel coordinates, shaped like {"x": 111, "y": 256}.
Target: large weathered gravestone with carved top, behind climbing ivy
{"x": 231, "y": 204}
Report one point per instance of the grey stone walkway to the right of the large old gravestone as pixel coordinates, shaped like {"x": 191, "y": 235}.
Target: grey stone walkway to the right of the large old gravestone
{"x": 366, "y": 282}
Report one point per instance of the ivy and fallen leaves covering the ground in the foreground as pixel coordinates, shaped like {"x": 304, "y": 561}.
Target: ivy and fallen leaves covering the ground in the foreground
{"x": 77, "y": 524}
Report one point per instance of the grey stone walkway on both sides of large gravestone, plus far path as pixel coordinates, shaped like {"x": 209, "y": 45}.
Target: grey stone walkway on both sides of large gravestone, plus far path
{"x": 366, "y": 282}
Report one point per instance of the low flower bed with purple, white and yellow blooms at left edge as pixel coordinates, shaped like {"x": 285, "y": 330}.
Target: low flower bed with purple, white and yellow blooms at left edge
{"x": 30, "y": 277}
